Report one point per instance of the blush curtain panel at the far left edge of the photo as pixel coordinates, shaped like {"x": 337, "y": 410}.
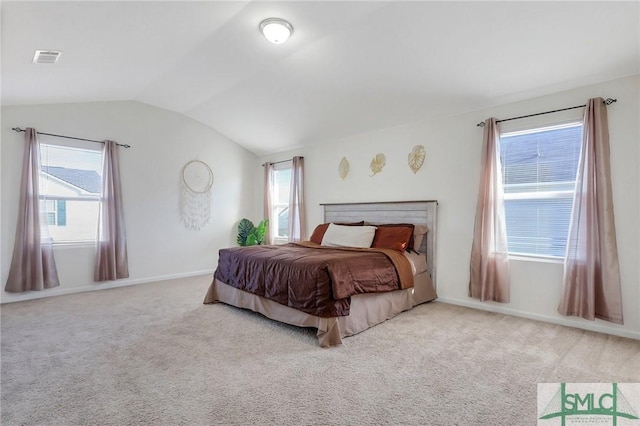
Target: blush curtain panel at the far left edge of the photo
{"x": 32, "y": 266}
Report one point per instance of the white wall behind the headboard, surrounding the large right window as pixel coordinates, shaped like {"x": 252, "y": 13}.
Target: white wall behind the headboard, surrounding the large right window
{"x": 450, "y": 175}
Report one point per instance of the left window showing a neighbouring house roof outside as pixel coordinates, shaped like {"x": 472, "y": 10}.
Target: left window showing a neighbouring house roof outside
{"x": 70, "y": 188}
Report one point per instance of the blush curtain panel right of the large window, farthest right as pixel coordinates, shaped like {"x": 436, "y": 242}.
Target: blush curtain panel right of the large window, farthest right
{"x": 591, "y": 272}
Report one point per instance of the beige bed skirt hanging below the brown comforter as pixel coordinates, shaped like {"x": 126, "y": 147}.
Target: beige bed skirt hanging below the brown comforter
{"x": 366, "y": 310}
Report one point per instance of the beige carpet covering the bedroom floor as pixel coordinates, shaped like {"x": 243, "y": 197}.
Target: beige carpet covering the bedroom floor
{"x": 153, "y": 354}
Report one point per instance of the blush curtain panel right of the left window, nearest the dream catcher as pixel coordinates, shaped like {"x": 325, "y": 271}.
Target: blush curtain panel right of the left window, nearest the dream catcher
{"x": 111, "y": 254}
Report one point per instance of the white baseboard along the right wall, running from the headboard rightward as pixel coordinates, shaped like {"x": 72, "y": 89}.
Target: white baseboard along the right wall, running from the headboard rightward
{"x": 576, "y": 323}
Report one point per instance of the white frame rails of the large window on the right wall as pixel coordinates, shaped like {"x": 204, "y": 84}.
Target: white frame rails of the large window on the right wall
{"x": 540, "y": 195}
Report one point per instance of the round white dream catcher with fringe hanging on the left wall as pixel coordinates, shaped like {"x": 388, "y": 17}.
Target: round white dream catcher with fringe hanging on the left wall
{"x": 197, "y": 180}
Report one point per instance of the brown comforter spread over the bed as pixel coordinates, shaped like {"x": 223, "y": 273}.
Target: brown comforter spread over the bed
{"x": 313, "y": 279}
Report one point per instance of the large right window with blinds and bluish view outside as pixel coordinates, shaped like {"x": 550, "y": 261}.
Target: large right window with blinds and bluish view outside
{"x": 539, "y": 172}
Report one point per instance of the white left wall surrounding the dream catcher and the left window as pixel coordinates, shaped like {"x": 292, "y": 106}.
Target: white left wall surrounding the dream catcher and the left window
{"x": 159, "y": 245}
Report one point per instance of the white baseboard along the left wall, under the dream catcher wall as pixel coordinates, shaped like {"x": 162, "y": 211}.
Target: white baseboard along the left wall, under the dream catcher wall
{"x": 58, "y": 291}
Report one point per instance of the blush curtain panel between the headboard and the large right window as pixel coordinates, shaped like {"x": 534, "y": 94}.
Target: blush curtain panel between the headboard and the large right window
{"x": 489, "y": 270}
